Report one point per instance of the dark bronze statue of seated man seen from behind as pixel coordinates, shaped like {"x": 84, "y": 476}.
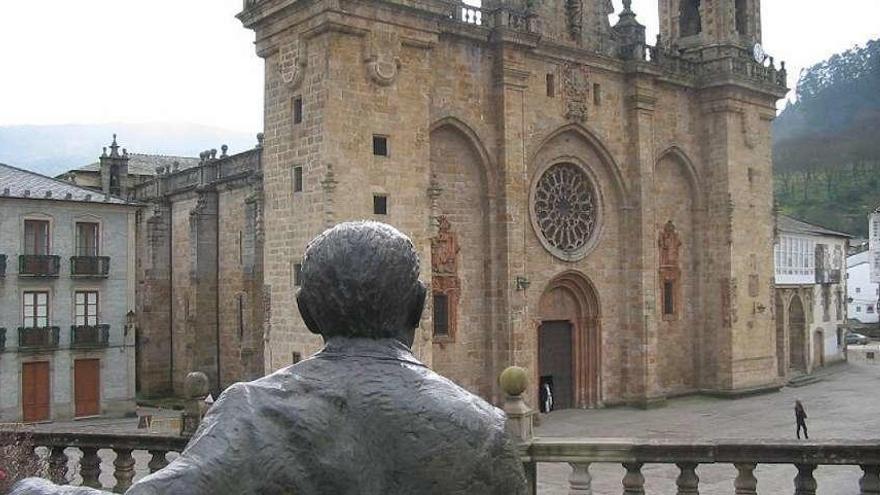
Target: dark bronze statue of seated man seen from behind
{"x": 363, "y": 415}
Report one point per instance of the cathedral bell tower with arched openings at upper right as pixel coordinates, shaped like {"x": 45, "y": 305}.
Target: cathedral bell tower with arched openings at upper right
{"x": 687, "y": 24}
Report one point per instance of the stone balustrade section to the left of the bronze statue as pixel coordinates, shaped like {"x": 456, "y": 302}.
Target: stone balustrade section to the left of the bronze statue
{"x": 53, "y": 448}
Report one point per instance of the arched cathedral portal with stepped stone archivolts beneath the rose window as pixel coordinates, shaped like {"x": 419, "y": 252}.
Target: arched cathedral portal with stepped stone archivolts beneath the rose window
{"x": 569, "y": 342}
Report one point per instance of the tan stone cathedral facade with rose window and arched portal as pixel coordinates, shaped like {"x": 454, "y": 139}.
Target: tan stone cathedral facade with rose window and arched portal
{"x": 589, "y": 206}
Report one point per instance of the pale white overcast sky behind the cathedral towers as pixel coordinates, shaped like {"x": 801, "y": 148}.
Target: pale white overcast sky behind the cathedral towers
{"x": 134, "y": 61}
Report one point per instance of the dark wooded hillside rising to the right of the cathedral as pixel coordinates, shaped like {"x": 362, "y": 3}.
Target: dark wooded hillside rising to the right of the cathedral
{"x": 826, "y": 150}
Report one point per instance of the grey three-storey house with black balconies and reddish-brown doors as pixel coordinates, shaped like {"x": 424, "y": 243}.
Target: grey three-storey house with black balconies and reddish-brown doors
{"x": 67, "y": 295}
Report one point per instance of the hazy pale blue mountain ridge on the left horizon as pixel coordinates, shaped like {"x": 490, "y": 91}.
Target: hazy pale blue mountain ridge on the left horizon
{"x": 54, "y": 149}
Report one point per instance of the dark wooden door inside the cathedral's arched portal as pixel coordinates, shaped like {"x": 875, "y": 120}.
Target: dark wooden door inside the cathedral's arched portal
{"x": 555, "y": 362}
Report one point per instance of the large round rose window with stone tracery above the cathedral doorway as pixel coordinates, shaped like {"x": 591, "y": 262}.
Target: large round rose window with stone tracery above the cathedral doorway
{"x": 565, "y": 211}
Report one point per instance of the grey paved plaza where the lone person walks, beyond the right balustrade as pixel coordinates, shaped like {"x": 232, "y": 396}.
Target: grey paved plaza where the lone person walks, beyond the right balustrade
{"x": 844, "y": 405}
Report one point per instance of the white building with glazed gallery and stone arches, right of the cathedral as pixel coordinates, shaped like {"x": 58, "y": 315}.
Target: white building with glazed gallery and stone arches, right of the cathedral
{"x": 810, "y": 296}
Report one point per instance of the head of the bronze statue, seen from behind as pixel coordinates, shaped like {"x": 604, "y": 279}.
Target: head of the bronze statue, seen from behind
{"x": 361, "y": 279}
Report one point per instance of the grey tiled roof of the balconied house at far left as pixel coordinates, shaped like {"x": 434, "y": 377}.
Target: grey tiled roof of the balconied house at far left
{"x": 24, "y": 184}
